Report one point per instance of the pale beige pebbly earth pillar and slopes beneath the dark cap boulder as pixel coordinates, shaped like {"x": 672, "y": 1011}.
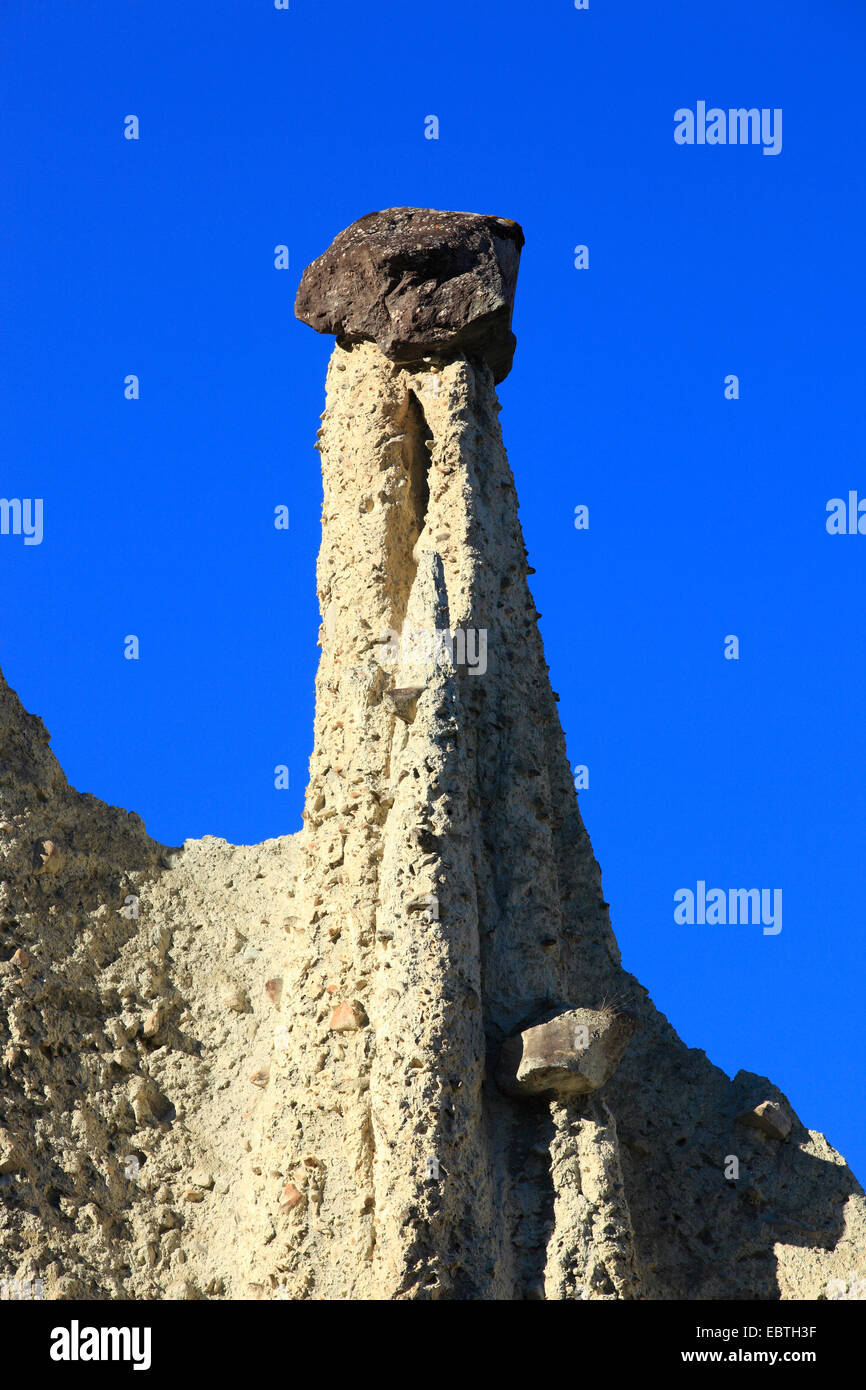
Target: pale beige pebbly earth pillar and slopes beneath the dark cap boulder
{"x": 226, "y": 1071}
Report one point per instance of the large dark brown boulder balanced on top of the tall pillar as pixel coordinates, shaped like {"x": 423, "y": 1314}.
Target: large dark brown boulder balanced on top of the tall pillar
{"x": 419, "y": 284}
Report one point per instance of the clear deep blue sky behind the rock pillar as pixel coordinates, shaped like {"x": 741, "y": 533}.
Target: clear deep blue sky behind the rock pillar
{"x": 156, "y": 258}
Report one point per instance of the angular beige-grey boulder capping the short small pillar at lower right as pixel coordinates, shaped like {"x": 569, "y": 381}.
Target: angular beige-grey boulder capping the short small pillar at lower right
{"x": 571, "y": 1054}
